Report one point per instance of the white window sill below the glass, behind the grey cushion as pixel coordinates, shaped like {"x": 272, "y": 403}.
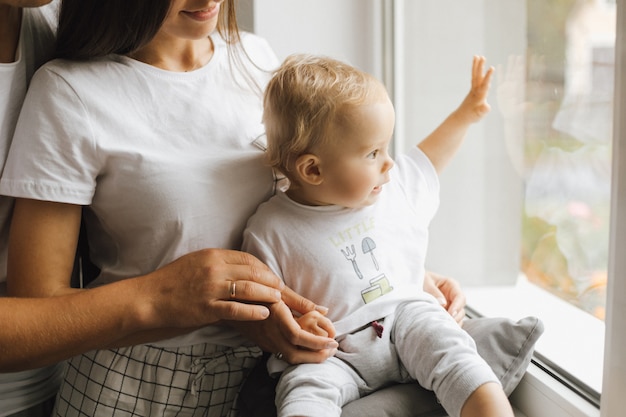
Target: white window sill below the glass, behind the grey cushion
{"x": 573, "y": 340}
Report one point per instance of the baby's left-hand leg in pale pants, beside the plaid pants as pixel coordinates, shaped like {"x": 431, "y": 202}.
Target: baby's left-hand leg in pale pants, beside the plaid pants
{"x": 316, "y": 389}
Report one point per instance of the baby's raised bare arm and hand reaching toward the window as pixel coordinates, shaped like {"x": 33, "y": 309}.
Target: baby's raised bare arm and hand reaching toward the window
{"x": 441, "y": 145}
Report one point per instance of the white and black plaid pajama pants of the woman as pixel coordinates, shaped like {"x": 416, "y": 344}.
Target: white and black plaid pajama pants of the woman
{"x": 143, "y": 380}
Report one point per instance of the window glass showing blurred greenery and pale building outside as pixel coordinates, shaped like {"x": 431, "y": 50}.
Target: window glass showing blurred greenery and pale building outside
{"x": 567, "y": 131}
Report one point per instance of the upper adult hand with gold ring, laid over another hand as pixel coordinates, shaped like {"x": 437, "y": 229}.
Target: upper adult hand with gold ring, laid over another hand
{"x": 212, "y": 285}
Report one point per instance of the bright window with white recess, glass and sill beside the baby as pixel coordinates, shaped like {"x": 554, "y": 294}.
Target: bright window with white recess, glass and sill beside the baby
{"x": 526, "y": 205}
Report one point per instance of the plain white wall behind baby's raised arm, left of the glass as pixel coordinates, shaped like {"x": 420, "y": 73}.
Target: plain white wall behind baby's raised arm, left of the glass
{"x": 475, "y": 235}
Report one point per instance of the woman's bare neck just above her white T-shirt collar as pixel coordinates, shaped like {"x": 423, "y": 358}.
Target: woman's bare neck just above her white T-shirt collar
{"x": 178, "y": 55}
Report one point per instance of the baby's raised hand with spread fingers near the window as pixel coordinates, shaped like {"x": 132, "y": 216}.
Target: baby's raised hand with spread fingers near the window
{"x": 474, "y": 107}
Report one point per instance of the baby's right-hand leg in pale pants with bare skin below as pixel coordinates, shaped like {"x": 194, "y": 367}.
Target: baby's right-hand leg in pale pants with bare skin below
{"x": 442, "y": 357}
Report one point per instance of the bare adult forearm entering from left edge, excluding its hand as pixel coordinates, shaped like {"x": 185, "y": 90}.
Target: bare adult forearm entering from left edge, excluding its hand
{"x": 41, "y": 331}
